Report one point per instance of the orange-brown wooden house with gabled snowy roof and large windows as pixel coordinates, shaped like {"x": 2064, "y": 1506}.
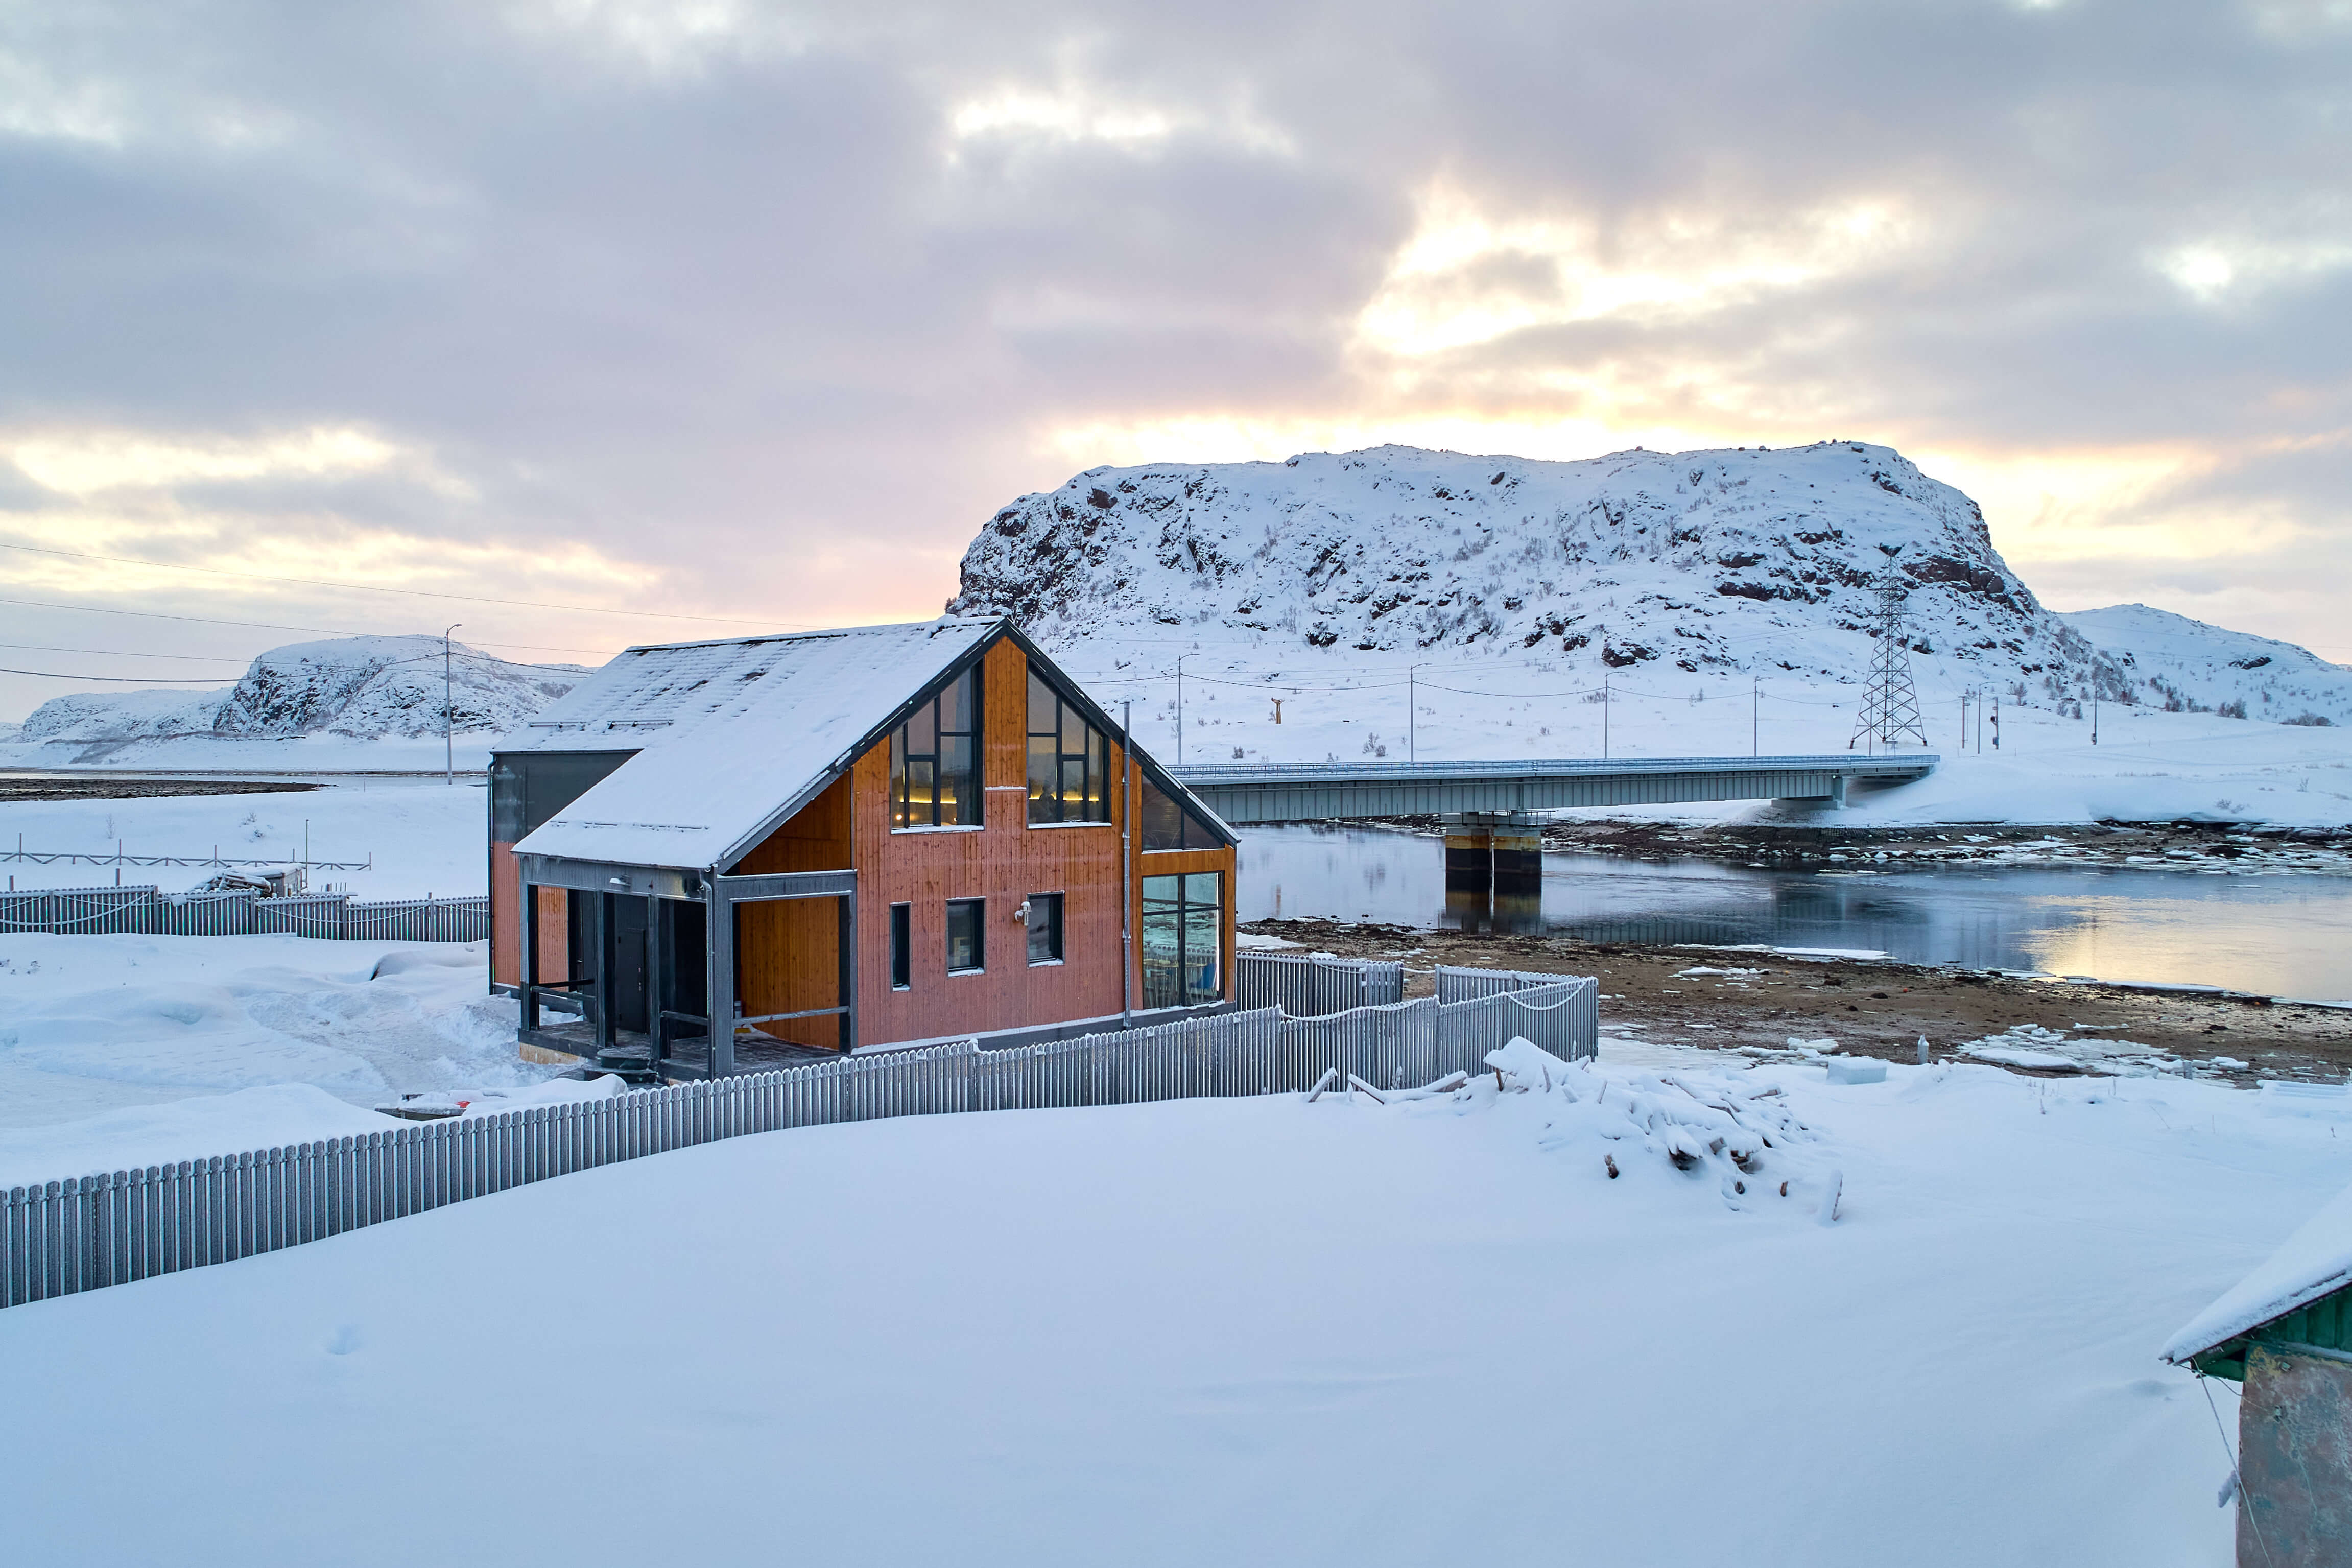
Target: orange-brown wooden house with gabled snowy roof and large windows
{"x": 841, "y": 840}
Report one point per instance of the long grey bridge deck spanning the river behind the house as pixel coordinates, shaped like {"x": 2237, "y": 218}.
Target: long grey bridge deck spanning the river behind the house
{"x": 1250, "y": 793}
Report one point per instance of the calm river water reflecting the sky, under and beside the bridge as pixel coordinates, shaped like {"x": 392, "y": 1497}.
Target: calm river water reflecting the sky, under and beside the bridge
{"x": 2287, "y": 937}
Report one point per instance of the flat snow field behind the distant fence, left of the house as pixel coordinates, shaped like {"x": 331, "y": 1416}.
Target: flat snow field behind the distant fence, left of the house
{"x": 425, "y": 836}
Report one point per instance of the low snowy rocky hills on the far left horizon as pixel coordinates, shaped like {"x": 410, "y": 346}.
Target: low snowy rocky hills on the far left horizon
{"x": 349, "y": 688}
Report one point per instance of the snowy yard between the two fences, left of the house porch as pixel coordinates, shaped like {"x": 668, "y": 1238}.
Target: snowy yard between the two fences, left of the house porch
{"x": 105, "y": 1024}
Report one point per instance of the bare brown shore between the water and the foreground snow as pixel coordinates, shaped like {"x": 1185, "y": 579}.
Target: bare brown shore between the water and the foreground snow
{"x": 1871, "y": 1010}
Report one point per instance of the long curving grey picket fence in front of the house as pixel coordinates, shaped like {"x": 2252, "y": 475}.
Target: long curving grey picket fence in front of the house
{"x": 123, "y": 1226}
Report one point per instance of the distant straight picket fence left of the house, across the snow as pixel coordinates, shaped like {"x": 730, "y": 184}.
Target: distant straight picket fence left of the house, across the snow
{"x": 145, "y": 911}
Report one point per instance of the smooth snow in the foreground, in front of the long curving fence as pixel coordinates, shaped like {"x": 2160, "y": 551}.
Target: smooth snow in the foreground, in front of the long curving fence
{"x": 1222, "y": 1332}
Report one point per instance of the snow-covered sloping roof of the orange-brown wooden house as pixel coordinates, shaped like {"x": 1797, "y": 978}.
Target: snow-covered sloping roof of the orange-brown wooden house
{"x": 728, "y": 735}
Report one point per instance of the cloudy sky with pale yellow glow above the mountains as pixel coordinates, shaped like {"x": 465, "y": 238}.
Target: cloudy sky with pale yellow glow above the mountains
{"x": 723, "y": 309}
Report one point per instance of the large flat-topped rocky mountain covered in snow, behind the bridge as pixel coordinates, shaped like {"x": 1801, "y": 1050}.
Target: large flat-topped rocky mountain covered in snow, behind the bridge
{"x": 1652, "y": 565}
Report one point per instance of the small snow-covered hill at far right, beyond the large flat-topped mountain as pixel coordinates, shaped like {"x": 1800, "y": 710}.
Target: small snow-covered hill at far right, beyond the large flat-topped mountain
{"x": 2189, "y": 666}
